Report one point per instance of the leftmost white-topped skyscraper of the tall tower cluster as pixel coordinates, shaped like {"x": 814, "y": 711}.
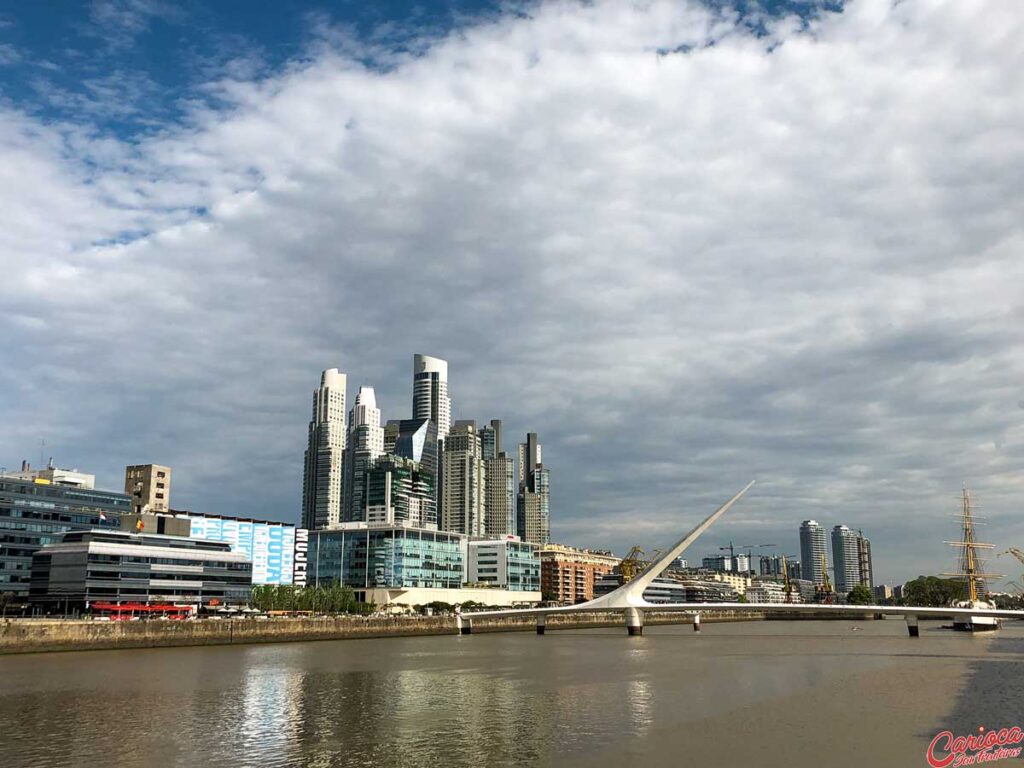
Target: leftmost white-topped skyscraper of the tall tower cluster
{"x": 322, "y": 482}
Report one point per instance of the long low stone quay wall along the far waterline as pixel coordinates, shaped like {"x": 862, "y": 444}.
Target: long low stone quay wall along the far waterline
{"x": 33, "y": 636}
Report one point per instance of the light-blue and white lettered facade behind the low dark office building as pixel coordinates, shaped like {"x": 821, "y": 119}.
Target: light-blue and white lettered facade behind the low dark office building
{"x": 268, "y": 545}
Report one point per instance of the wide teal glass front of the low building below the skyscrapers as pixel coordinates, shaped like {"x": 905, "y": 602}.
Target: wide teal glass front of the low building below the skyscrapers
{"x": 387, "y": 558}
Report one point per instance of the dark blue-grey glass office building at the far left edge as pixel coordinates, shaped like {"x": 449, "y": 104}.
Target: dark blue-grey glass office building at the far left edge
{"x": 36, "y": 514}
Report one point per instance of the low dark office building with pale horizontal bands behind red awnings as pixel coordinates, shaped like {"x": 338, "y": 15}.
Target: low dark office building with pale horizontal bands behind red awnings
{"x": 91, "y": 567}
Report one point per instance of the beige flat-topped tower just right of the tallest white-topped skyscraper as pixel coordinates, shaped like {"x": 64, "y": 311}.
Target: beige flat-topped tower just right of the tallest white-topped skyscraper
{"x": 463, "y": 482}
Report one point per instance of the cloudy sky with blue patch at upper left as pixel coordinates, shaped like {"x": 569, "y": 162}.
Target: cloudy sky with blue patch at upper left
{"x": 689, "y": 244}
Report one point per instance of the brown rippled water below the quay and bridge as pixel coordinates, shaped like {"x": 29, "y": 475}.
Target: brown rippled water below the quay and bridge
{"x": 781, "y": 694}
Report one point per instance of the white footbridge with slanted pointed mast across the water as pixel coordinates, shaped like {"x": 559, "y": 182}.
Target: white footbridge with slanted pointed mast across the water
{"x": 629, "y": 599}
